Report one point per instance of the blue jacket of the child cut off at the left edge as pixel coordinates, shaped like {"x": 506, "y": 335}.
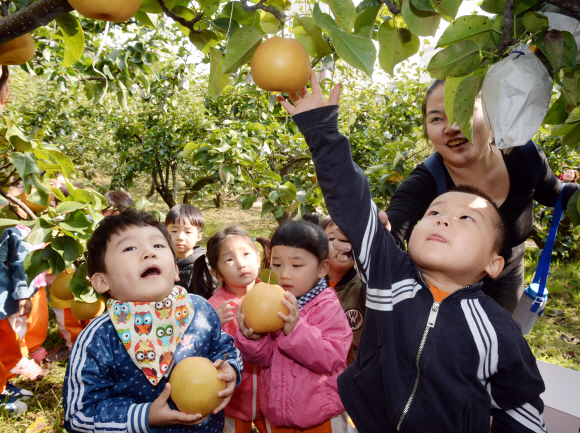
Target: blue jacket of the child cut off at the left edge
{"x": 13, "y": 285}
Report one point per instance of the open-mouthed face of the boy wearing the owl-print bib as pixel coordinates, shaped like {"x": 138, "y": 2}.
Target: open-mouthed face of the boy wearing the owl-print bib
{"x": 140, "y": 266}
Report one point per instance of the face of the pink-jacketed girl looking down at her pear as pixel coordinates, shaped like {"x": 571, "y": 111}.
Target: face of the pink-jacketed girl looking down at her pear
{"x": 297, "y": 270}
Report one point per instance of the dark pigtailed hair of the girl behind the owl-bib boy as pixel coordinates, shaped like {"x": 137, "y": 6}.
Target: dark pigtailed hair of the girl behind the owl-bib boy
{"x": 202, "y": 277}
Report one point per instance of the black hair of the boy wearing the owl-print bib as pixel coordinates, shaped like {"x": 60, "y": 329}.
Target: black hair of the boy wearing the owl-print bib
{"x": 115, "y": 224}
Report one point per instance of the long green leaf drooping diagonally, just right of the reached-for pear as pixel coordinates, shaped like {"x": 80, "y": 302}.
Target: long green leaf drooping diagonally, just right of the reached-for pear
{"x": 357, "y": 51}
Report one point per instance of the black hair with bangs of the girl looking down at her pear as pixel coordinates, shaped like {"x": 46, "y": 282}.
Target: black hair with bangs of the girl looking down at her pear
{"x": 302, "y": 234}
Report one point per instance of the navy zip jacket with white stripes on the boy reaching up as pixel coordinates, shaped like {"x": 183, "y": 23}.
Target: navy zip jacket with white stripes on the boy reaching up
{"x": 422, "y": 366}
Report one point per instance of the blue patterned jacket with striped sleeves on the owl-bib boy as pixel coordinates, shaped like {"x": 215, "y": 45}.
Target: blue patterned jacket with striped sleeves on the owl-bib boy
{"x": 104, "y": 391}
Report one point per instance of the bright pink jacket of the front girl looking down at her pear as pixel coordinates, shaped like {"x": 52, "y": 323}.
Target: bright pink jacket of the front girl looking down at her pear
{"x": 299, "y": 388}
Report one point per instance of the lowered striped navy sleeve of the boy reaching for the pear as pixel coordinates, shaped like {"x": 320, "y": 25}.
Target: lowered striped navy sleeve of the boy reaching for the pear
{"x": 507, "y": 369}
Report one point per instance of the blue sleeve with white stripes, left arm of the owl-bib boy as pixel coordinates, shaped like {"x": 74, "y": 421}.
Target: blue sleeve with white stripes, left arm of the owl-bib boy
{"x": 88, "y": 389}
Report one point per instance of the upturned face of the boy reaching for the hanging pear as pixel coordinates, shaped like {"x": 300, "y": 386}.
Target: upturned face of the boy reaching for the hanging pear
{"x": 456, "y": 239}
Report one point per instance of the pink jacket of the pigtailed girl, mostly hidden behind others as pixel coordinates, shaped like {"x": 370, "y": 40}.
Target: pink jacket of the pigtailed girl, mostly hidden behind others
{"x": 244, "y": 404}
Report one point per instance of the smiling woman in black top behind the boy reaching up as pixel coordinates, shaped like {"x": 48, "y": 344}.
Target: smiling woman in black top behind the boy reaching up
{"x": 508, "y": 178}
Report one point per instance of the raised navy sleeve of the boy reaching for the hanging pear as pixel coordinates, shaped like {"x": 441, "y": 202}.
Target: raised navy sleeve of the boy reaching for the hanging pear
{"x": 348, "y": 198}
